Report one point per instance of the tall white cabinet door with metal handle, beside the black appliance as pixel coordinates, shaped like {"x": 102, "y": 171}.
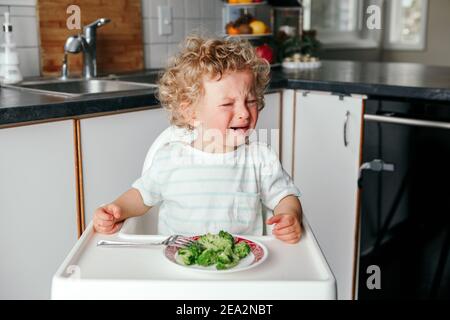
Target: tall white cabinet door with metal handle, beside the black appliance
{"x": 326, "y": 163}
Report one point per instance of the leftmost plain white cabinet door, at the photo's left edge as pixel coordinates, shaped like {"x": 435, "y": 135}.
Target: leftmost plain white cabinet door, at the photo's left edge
{"x": 37, "y": 207}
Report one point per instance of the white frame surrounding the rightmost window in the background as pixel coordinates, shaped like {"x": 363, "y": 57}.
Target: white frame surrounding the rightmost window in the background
{"x": 390, "y": 28}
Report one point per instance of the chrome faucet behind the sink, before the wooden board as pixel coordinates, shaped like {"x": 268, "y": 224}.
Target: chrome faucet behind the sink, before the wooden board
{"x": 87, "y": 43}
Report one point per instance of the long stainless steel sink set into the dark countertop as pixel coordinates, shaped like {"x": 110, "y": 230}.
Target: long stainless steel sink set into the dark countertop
{"x": 81, "y": 87}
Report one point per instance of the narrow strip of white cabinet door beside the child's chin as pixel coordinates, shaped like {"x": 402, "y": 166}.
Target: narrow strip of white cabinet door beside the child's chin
{"x": 269, "y": 120}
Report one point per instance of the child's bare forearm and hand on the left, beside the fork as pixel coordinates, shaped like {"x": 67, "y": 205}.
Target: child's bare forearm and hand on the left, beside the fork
{"x": 109, "y": 218}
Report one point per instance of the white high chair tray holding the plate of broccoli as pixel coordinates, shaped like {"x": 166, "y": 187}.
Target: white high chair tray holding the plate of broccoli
{"x": 290, "y": 272}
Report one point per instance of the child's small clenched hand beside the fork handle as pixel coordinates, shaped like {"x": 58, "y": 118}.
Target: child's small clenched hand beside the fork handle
{"x": 107, "y": 219}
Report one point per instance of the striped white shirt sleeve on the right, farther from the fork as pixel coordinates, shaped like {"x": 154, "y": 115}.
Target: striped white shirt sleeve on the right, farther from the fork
{"x": 275, "y": 181}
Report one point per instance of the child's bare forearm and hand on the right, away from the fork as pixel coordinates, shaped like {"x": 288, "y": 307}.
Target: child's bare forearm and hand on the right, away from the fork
{"x": 288, "y": 219}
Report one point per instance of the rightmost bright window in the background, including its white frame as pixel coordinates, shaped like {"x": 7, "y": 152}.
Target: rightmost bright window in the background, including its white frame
{"x": 406, "y": 25}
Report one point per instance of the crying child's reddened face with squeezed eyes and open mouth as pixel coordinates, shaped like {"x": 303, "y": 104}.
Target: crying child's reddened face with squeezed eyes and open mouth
{"x": 228, "y": 109}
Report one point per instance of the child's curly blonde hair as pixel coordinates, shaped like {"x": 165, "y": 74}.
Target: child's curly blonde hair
{"x": 181, "y": 82}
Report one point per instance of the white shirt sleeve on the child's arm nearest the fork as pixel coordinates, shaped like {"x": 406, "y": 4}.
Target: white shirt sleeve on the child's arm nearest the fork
{"x": 149, "y": 184}
